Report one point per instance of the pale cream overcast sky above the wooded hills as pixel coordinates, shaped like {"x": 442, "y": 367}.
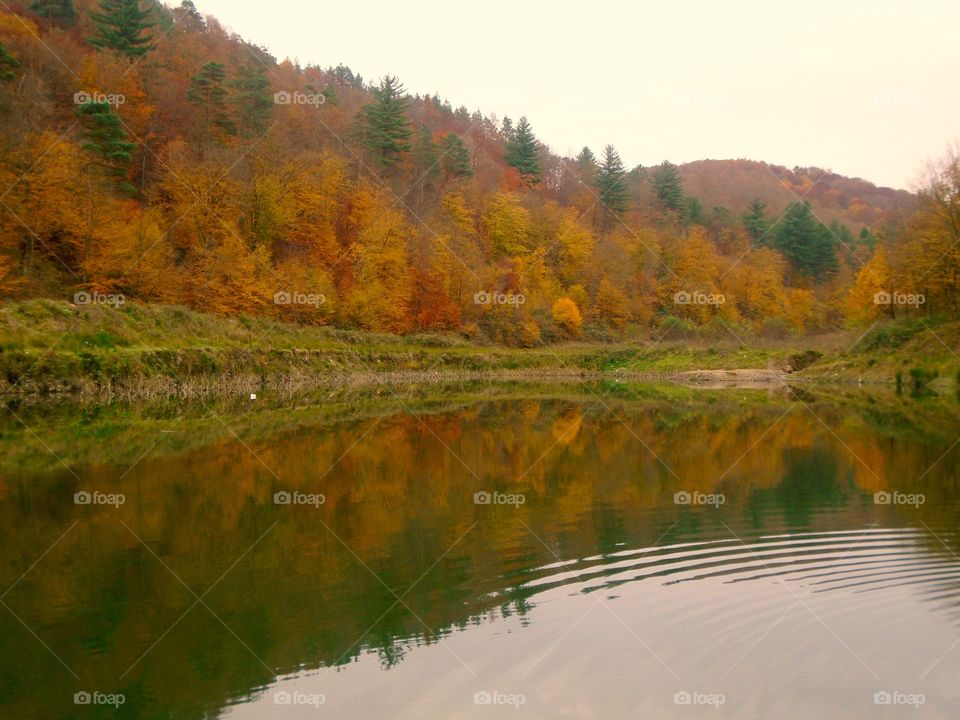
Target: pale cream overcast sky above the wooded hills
{"x": 866, "y": 89}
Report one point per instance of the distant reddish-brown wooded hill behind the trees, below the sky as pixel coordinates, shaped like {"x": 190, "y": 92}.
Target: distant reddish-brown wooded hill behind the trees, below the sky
{"x": 735, "y": 183}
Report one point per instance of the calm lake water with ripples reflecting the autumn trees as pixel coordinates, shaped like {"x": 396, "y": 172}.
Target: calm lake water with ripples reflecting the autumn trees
{"x": 585, "y": 589}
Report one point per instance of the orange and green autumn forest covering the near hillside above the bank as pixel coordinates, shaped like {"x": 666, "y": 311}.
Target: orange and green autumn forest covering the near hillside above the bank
{"x": 149, "y": 154}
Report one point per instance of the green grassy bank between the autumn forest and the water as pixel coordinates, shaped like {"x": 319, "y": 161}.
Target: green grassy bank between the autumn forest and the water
{"x": 54, "y": 347}
